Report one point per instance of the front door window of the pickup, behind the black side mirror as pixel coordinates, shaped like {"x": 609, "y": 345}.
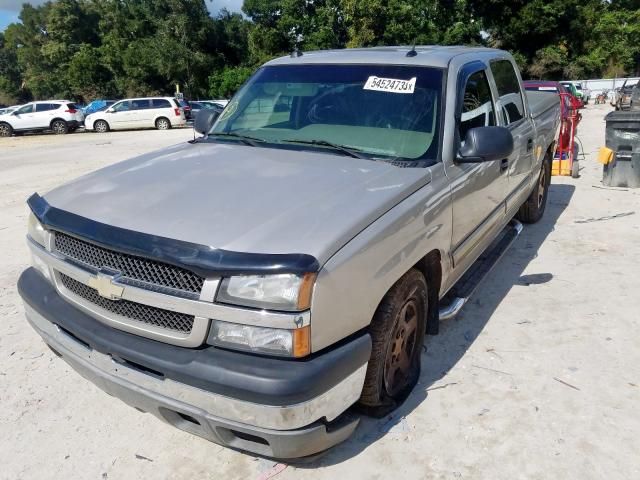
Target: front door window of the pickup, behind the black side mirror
{"x": 477, "y": 106}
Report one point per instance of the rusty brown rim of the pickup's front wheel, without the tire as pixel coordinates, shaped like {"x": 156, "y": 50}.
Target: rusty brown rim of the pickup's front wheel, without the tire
{"x": 400, "y": 353}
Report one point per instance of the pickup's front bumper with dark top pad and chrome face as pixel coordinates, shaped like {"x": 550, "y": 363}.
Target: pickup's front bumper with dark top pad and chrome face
{"x": 273, "y": 407}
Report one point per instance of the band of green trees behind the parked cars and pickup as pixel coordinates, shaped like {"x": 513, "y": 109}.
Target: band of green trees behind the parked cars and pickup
{"x": 83, "y": 49}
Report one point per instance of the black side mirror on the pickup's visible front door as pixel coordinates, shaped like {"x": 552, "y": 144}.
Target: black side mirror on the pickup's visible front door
{"x": 485, "y": 144}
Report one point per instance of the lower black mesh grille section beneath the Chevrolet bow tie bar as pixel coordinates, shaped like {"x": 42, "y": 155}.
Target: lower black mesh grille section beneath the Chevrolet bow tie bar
{"x": 158, "y": 317}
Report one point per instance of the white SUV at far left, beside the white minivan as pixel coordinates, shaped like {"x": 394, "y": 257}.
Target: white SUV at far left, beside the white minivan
{"x": 60, "y": 116}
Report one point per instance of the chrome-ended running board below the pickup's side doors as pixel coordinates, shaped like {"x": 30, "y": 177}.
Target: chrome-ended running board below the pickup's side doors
{"x": 460, "y": 293}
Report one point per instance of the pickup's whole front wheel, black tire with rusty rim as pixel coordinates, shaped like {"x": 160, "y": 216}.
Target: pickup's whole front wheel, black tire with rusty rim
{"x": 397, "y": 334}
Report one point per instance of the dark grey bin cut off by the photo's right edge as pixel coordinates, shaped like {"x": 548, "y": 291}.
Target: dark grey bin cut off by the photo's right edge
{"x": 623, "y": 137}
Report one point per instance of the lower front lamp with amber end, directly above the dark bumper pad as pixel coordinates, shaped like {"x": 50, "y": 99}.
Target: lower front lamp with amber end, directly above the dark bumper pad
{"x": 273, "y": 341}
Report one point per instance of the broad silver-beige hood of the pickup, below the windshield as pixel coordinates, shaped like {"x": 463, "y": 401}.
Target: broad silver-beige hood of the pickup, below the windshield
{"x": 241, "y": 198}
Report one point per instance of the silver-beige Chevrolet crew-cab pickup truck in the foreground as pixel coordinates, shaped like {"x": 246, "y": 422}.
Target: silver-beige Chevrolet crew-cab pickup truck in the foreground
{"x": 253, "y": 285}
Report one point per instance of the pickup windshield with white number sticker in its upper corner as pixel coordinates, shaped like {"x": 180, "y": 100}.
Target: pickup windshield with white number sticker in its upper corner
{"x": 380, "y": 111}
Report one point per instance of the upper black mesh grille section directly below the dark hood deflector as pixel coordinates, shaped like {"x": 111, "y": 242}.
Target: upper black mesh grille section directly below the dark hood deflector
{"x": 130, "y": 266}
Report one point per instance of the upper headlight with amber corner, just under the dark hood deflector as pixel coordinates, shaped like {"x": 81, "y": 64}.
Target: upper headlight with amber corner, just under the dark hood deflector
{"x": 288, "y": 292}
